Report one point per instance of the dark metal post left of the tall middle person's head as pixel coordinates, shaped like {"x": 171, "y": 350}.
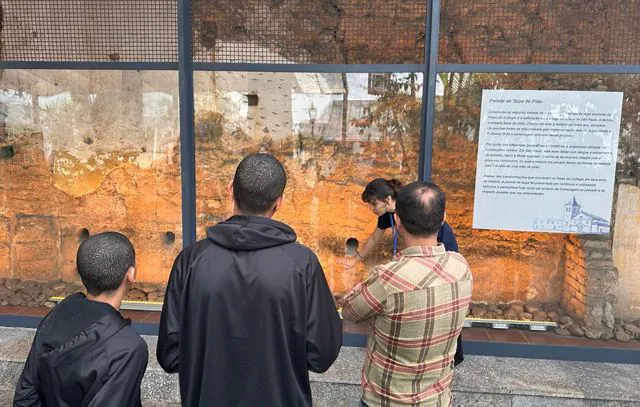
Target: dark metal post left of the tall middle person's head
{"x": 187, "y": 138}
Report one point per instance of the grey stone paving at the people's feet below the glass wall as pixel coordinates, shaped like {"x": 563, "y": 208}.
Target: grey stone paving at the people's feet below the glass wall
{"x": 479, "y": 381}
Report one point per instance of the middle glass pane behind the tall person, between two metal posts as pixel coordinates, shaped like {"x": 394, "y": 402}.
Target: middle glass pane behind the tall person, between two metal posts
{"x": 333, "y": 132}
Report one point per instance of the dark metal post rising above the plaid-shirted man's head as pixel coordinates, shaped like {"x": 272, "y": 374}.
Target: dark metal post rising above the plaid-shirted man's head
{"x": 429, "y": 91}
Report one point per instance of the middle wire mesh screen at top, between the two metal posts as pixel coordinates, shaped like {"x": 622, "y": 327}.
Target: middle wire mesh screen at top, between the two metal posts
{"x": 309, "y": 31}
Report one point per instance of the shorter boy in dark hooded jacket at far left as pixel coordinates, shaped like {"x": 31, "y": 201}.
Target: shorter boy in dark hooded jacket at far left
{"x": 84, "y": 352}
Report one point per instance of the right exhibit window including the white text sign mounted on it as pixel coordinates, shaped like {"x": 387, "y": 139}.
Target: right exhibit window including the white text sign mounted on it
{"x": 541, "y": 176}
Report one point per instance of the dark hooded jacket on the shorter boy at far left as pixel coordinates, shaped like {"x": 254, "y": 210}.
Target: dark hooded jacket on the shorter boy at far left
{"x": 84, "y": 354}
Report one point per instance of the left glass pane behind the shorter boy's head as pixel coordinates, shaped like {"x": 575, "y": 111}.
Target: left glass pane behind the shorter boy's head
{"x": 83, "y": 152}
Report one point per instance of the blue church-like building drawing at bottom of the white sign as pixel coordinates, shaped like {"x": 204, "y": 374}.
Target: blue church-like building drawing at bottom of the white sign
{"x": 575, "y": 221}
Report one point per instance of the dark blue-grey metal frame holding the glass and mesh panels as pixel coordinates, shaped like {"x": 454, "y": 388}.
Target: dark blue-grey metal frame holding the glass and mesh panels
{"x": 430, "y": 69}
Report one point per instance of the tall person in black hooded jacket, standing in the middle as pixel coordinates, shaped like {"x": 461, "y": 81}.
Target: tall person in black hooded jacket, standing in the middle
{"x": 247, "y": 311}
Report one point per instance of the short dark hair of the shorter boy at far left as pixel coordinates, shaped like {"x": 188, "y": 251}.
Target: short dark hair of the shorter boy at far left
{"x": 103, "y": 261}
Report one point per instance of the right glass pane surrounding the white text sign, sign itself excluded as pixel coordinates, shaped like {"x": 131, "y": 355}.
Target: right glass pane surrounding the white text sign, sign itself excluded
{"x": 542, "y": 276}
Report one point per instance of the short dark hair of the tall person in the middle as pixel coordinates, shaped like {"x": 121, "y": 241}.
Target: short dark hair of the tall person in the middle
{"x": 259, "y": 181}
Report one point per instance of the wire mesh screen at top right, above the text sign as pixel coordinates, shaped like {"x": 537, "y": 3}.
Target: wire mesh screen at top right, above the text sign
{"x": 540, "y": 31}
